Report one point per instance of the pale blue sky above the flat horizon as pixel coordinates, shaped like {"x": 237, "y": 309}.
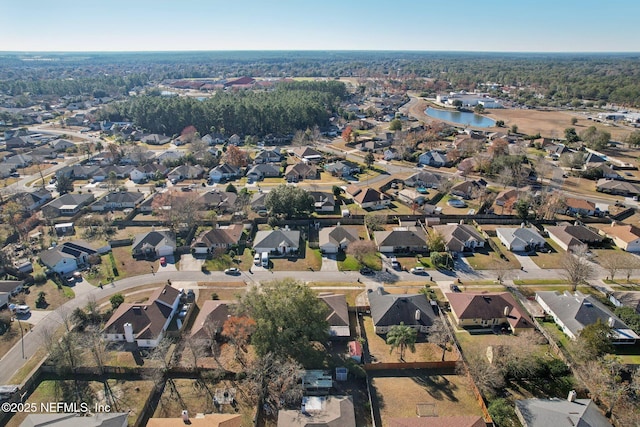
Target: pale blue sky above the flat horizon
{"x": 462, "y": 25}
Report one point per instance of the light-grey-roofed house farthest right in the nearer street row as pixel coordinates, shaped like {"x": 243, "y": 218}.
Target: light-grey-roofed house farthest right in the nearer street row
{"x": 572, "y": 312}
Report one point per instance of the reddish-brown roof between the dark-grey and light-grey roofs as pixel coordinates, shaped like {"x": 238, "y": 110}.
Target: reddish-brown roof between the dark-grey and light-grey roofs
{"x": 487, "y": 306}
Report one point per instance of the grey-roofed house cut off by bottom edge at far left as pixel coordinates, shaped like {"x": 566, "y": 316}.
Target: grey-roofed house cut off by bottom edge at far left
{"x": 100, "y": 419}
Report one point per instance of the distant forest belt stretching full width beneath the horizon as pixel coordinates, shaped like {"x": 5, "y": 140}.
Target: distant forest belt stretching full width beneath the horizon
{"x": 533, "y": 79}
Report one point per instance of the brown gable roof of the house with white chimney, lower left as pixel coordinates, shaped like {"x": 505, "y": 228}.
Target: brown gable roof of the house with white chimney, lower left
{"x": 147, "y": 319}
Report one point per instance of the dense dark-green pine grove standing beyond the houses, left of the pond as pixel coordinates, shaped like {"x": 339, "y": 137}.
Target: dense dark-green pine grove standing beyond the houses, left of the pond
{"x": 287, "y": 108}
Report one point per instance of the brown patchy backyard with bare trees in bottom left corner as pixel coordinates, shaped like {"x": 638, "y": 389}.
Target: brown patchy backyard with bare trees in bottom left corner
{"x": 122, "y": 396}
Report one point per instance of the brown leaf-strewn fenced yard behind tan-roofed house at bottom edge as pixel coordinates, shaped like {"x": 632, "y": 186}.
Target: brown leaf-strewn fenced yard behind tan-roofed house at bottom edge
{"x": 196, "y": 396}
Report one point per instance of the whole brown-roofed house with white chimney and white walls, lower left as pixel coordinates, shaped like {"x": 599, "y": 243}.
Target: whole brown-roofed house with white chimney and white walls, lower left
{"x": 143, "y": 323}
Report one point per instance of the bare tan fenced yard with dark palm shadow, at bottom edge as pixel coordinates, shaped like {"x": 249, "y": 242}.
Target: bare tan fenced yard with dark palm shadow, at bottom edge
{"x": 446, "y": 395}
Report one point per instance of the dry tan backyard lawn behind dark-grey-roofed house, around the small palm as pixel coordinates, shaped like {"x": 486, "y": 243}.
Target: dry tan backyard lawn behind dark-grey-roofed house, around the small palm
{"x": 425, "y": 352}
